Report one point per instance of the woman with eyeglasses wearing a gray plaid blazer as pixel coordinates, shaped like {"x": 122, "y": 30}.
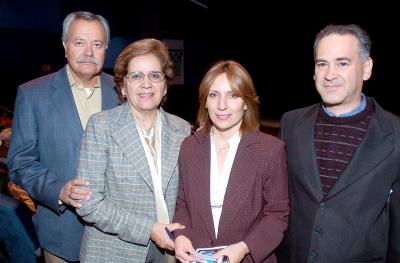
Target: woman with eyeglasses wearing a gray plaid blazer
{"x": 129, "y": 156}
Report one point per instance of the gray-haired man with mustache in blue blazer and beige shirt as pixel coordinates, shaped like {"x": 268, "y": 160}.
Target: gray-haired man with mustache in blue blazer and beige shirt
{"x": 50, "y": 116}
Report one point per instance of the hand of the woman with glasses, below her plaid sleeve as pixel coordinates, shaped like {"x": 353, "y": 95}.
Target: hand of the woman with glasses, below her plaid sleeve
{"x": 160, "y": 236}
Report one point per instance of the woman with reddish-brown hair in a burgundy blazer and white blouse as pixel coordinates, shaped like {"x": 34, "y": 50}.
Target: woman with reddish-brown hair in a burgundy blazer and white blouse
{"x": 233, "y": 179}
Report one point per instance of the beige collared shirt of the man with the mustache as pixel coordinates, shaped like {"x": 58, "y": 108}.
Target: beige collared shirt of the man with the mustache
{"x": 87, "y": 99}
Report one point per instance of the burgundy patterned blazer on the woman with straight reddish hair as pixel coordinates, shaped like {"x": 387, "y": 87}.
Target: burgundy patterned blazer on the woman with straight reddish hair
{"x": 255, "y": 208}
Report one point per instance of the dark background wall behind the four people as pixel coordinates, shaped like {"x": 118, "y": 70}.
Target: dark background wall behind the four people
{"x": 274, "y": 43}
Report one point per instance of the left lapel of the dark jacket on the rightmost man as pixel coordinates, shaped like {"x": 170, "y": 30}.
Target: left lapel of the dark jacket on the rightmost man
{"x": 304, "y": 133}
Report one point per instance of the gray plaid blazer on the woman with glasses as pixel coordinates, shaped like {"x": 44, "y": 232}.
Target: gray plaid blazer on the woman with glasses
{"x": 121, "y": 212}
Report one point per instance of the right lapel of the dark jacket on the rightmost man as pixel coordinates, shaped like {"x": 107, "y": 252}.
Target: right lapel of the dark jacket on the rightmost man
{"x": 377, "y": 145}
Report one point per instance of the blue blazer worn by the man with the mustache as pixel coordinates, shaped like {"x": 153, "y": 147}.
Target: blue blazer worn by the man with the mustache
{"x": 43, "y": 153}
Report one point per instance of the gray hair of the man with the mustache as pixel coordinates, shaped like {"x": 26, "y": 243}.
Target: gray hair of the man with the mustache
{"x": 87, "y": 16}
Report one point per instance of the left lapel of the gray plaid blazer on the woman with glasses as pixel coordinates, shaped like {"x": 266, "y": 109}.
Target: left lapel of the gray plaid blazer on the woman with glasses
{"x": 127, "y": 137}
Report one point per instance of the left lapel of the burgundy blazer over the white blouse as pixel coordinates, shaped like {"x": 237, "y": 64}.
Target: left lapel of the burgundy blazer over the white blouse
{"x": 202, "y": 181}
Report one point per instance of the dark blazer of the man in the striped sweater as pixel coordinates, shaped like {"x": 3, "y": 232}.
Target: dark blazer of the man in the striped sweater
{"x": 358, "y": 220}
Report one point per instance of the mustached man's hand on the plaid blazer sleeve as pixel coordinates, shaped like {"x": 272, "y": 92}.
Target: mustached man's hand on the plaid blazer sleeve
{"x": 72, "y": 192}
